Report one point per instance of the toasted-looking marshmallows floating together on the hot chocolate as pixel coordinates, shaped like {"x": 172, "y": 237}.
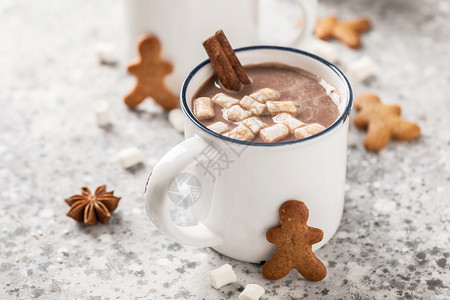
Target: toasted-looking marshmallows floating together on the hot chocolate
{"x": 242, "y": 112}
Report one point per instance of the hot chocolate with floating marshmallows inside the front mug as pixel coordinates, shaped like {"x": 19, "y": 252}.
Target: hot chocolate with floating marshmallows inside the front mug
{"x": 282, "y": 103}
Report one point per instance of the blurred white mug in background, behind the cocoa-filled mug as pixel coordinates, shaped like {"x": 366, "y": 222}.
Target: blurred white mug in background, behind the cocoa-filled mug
{"x": 182, "y": 25}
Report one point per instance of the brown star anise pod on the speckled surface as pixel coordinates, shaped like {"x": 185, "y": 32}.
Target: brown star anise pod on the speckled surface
{"x": 89, "y": 207}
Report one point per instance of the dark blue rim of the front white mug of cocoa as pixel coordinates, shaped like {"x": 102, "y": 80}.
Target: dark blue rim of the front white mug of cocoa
{"x": 341, "y": 119}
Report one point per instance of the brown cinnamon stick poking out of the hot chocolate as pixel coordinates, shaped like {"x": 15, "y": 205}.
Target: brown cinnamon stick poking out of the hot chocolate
{"x": 225, "y": 63}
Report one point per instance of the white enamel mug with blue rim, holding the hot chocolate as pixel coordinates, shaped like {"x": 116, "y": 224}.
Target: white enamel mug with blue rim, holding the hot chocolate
{"x": 236, "y": 206}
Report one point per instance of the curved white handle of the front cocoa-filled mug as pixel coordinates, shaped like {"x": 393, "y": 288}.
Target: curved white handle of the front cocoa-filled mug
{"x": 157, "y": 201}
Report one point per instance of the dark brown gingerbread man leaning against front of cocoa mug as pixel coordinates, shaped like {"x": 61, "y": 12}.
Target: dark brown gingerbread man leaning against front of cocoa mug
{"x": 294, "y": 240}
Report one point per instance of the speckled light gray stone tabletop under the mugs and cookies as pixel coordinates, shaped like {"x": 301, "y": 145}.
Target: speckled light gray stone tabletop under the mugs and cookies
{"x": 394, "y": 238}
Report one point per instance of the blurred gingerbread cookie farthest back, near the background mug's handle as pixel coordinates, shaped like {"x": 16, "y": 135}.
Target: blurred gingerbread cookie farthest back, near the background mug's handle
{"x": 346, "y": 32}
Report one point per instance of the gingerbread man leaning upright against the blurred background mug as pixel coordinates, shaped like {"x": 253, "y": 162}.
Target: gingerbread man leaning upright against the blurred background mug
{"x": 150, "y": 71}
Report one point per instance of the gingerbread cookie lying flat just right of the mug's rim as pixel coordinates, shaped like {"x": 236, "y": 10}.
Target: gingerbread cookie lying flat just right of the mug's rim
{"x": 383, "y": 122}
